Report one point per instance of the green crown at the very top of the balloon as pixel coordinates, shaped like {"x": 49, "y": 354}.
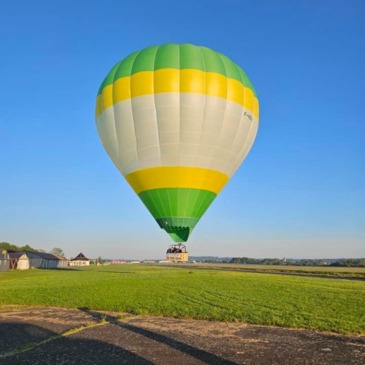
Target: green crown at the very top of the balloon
{"x": 177, "y": 56}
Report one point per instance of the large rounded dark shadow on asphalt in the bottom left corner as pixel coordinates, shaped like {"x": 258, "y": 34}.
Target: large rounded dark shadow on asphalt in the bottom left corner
{"x": 29, "y": 344}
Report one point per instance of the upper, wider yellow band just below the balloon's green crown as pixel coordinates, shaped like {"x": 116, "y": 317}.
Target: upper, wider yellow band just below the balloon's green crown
{"x": 173, "y": 80}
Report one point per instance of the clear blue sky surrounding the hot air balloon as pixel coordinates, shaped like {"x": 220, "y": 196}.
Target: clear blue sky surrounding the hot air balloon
{"x": 300, "y": 192}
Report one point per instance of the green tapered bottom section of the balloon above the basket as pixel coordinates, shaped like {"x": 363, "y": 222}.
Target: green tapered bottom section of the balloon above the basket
{"x": 177, "y": 210}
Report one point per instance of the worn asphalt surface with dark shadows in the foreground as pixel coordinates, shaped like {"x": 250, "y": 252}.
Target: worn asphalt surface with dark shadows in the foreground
{"x": 43, "y": 335}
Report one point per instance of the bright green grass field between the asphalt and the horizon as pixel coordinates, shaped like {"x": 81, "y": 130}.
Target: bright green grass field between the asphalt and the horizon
{"x": 281, "y": 300}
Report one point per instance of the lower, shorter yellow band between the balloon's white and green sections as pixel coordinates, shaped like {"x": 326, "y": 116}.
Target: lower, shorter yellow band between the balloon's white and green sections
{"x": 177, "y": 176}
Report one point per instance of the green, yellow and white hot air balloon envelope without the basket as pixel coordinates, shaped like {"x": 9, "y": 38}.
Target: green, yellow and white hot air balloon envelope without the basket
{"x": 177, "y": 120}
